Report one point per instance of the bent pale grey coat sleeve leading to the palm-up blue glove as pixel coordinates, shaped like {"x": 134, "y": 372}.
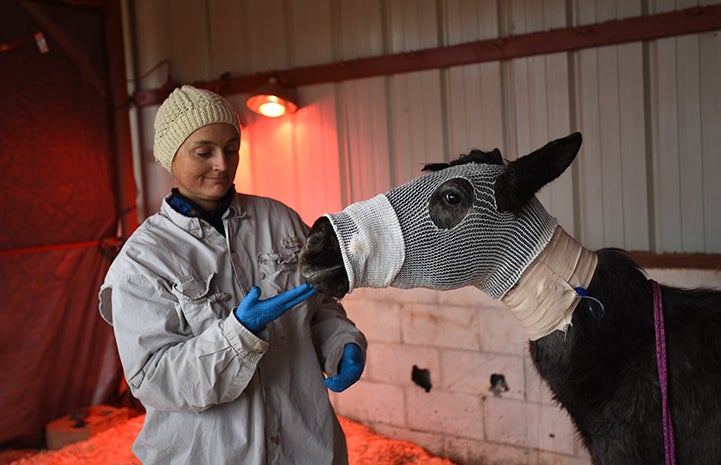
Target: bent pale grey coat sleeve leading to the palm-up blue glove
{"x": 168, "y": 367}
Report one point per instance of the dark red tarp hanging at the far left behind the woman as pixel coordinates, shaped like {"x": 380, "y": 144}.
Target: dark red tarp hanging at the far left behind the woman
{"x": 57, "y": 181}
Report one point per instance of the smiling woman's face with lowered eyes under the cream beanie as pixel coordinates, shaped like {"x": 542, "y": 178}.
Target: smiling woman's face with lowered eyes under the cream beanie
{"x": 205, "y": 165}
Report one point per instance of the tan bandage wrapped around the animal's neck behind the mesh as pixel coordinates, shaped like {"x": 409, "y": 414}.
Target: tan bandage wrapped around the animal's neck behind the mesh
{"x": 545, "y": 295}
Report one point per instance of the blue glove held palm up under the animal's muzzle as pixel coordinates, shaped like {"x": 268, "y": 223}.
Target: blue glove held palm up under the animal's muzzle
{"x": 255, "y": 314}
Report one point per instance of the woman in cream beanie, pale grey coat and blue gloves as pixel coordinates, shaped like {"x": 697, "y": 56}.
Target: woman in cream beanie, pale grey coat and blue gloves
{"x": 224, "y": 376}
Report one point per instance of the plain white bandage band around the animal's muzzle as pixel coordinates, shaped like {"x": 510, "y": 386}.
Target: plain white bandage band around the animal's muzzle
{"x": 371, "y": 242}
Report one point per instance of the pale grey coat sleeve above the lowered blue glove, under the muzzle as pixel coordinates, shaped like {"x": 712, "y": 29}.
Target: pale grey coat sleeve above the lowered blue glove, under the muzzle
{"x": 332, "y": 330}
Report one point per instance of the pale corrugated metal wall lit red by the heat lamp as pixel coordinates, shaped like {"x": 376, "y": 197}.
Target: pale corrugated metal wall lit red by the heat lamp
{"x": 650, "y": 112}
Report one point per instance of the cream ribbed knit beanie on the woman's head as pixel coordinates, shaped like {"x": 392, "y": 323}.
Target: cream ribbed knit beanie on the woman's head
{"x": 184, "y": 111}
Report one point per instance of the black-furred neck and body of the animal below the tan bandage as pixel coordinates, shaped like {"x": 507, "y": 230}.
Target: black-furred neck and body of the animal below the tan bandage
{"x": 603, "y": 371}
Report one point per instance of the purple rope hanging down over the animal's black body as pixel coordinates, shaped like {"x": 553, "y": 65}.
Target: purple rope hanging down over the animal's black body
{"x": 668, "y": 442}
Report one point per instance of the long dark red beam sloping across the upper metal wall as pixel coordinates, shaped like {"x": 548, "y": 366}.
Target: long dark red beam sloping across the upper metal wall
{"x": 675, "y": 23}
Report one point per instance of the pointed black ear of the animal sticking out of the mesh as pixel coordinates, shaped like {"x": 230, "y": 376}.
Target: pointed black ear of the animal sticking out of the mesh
{"x": 525, "y": 176}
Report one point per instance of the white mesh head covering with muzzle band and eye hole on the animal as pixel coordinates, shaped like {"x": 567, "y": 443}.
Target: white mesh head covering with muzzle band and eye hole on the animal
{"x": 391, "y": 239}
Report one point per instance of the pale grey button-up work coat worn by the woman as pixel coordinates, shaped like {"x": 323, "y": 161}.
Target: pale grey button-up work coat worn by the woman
{"x": 215, "y": 393}
